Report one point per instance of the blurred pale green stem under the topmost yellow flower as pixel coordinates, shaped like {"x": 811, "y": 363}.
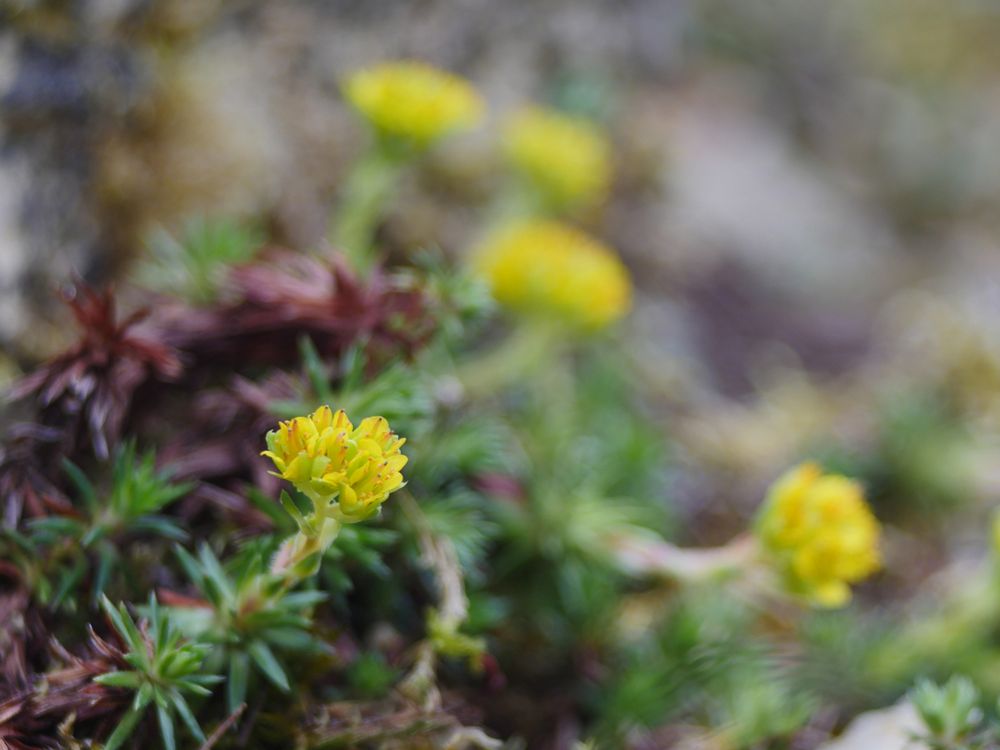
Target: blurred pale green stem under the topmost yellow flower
{"x": 363, "y": 198}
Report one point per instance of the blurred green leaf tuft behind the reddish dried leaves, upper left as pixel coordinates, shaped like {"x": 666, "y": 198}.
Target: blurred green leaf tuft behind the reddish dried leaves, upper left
{"x": 192, "y": 266}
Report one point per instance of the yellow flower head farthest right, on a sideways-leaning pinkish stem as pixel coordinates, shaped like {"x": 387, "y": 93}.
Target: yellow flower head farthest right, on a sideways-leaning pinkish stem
{"x": 820, "y": 532}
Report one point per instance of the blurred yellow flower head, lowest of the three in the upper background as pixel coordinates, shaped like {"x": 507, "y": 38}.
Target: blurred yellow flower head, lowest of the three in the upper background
{"x": 554, "y": 270}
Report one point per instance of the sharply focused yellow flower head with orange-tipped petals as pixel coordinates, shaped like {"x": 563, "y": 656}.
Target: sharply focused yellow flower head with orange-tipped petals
{"x": 328, "y": 459}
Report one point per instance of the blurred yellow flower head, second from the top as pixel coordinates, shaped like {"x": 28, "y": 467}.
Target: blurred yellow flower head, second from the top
{"x": 568, "y": 159}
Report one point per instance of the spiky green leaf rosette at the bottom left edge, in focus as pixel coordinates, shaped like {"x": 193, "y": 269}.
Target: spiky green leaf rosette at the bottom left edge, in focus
{"x": 164, "y": 669}
